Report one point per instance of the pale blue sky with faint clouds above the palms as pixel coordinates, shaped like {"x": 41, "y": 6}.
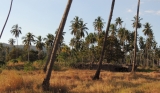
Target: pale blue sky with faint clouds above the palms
{"x": 41, "y": 17}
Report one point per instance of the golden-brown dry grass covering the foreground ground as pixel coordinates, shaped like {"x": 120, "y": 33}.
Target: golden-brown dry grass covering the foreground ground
{"x": 79, "y": 81}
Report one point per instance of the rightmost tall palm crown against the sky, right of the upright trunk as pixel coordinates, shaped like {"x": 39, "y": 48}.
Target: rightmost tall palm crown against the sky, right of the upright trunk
{"x": 147, "y": 30}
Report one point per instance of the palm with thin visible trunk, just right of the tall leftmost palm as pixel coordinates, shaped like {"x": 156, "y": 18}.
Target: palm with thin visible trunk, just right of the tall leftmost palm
{"x": 28, "y": 40}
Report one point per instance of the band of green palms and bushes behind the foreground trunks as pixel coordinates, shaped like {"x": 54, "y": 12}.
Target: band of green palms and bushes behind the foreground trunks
{"x": 86, "y": 47}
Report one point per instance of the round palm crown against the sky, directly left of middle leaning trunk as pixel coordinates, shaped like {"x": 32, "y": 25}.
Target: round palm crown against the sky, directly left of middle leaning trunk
{"x": 98, "y": 24}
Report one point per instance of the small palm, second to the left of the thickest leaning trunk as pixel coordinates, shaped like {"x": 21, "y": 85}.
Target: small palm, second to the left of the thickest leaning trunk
{"x": 39, "y": 45}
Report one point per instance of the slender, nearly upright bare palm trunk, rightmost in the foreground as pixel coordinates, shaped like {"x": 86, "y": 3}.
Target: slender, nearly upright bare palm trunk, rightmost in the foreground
{"x": 135, "y": 38}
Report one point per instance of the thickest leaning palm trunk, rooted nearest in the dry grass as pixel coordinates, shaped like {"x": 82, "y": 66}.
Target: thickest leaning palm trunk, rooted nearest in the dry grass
{"x": 45, "y": 84}
